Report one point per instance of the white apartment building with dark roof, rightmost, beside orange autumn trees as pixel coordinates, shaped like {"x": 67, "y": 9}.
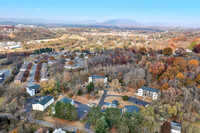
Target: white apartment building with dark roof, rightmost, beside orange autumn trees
{"x": 150, "y": 92}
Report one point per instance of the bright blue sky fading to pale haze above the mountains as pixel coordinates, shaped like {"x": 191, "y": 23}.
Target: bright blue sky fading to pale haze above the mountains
{"x": 176, "y": 11}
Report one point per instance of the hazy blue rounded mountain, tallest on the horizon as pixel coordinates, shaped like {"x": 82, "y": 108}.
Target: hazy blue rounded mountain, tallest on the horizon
{"x": 122, "y": 22}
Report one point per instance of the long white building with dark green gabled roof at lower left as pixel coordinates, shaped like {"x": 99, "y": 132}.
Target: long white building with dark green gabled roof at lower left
{"x": 43, "y": 103}
